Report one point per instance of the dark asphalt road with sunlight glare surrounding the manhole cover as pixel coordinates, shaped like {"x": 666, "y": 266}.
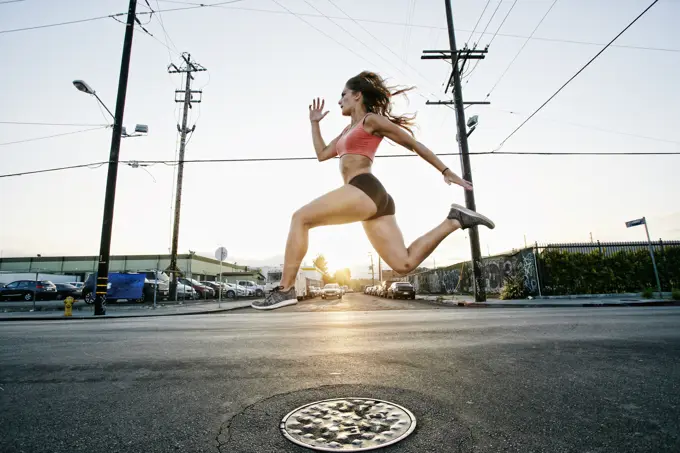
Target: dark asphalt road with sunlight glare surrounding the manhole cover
{"x": 493, "y": 380}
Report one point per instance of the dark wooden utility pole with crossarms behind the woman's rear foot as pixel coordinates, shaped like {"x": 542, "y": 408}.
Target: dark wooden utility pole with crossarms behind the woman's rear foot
{"x": 458, "y": 61}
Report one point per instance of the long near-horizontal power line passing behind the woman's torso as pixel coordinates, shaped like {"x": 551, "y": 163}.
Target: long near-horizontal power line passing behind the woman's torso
{"x": 289, "y": 159}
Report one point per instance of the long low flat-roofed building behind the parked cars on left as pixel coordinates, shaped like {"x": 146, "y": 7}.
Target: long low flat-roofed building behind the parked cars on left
{"x": 191, "y": 265}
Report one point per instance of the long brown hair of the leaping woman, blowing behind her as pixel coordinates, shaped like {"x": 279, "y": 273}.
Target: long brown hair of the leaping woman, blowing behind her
{"x": 378, "y": 97}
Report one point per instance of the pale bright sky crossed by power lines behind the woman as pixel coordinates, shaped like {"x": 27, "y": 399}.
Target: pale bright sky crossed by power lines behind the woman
{"x": 267, "y": 59}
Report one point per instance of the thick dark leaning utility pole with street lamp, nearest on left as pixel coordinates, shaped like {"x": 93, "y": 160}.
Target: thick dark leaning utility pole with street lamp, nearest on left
{"x": 110, "y": 197}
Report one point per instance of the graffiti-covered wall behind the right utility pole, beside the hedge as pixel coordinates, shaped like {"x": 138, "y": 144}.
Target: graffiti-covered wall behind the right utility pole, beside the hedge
{"x": 496, "y": 270}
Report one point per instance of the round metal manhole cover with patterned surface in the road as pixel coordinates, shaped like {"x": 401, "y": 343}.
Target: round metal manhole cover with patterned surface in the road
{"x": 348, "y": 424}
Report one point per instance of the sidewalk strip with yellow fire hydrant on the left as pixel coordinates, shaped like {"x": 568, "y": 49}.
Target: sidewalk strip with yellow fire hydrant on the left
{"x": 128, "y": 311}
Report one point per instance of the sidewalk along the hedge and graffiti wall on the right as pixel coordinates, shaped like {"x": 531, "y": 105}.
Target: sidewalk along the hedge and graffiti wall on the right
{"x": 623, "y": 300}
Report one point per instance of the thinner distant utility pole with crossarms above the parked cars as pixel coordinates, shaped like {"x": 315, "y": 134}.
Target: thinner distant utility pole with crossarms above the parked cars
{"x": 186, "y": 97}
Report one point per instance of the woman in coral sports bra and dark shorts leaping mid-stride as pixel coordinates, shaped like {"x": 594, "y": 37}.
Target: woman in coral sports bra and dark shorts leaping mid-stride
{"x": 368, "y": 102}
